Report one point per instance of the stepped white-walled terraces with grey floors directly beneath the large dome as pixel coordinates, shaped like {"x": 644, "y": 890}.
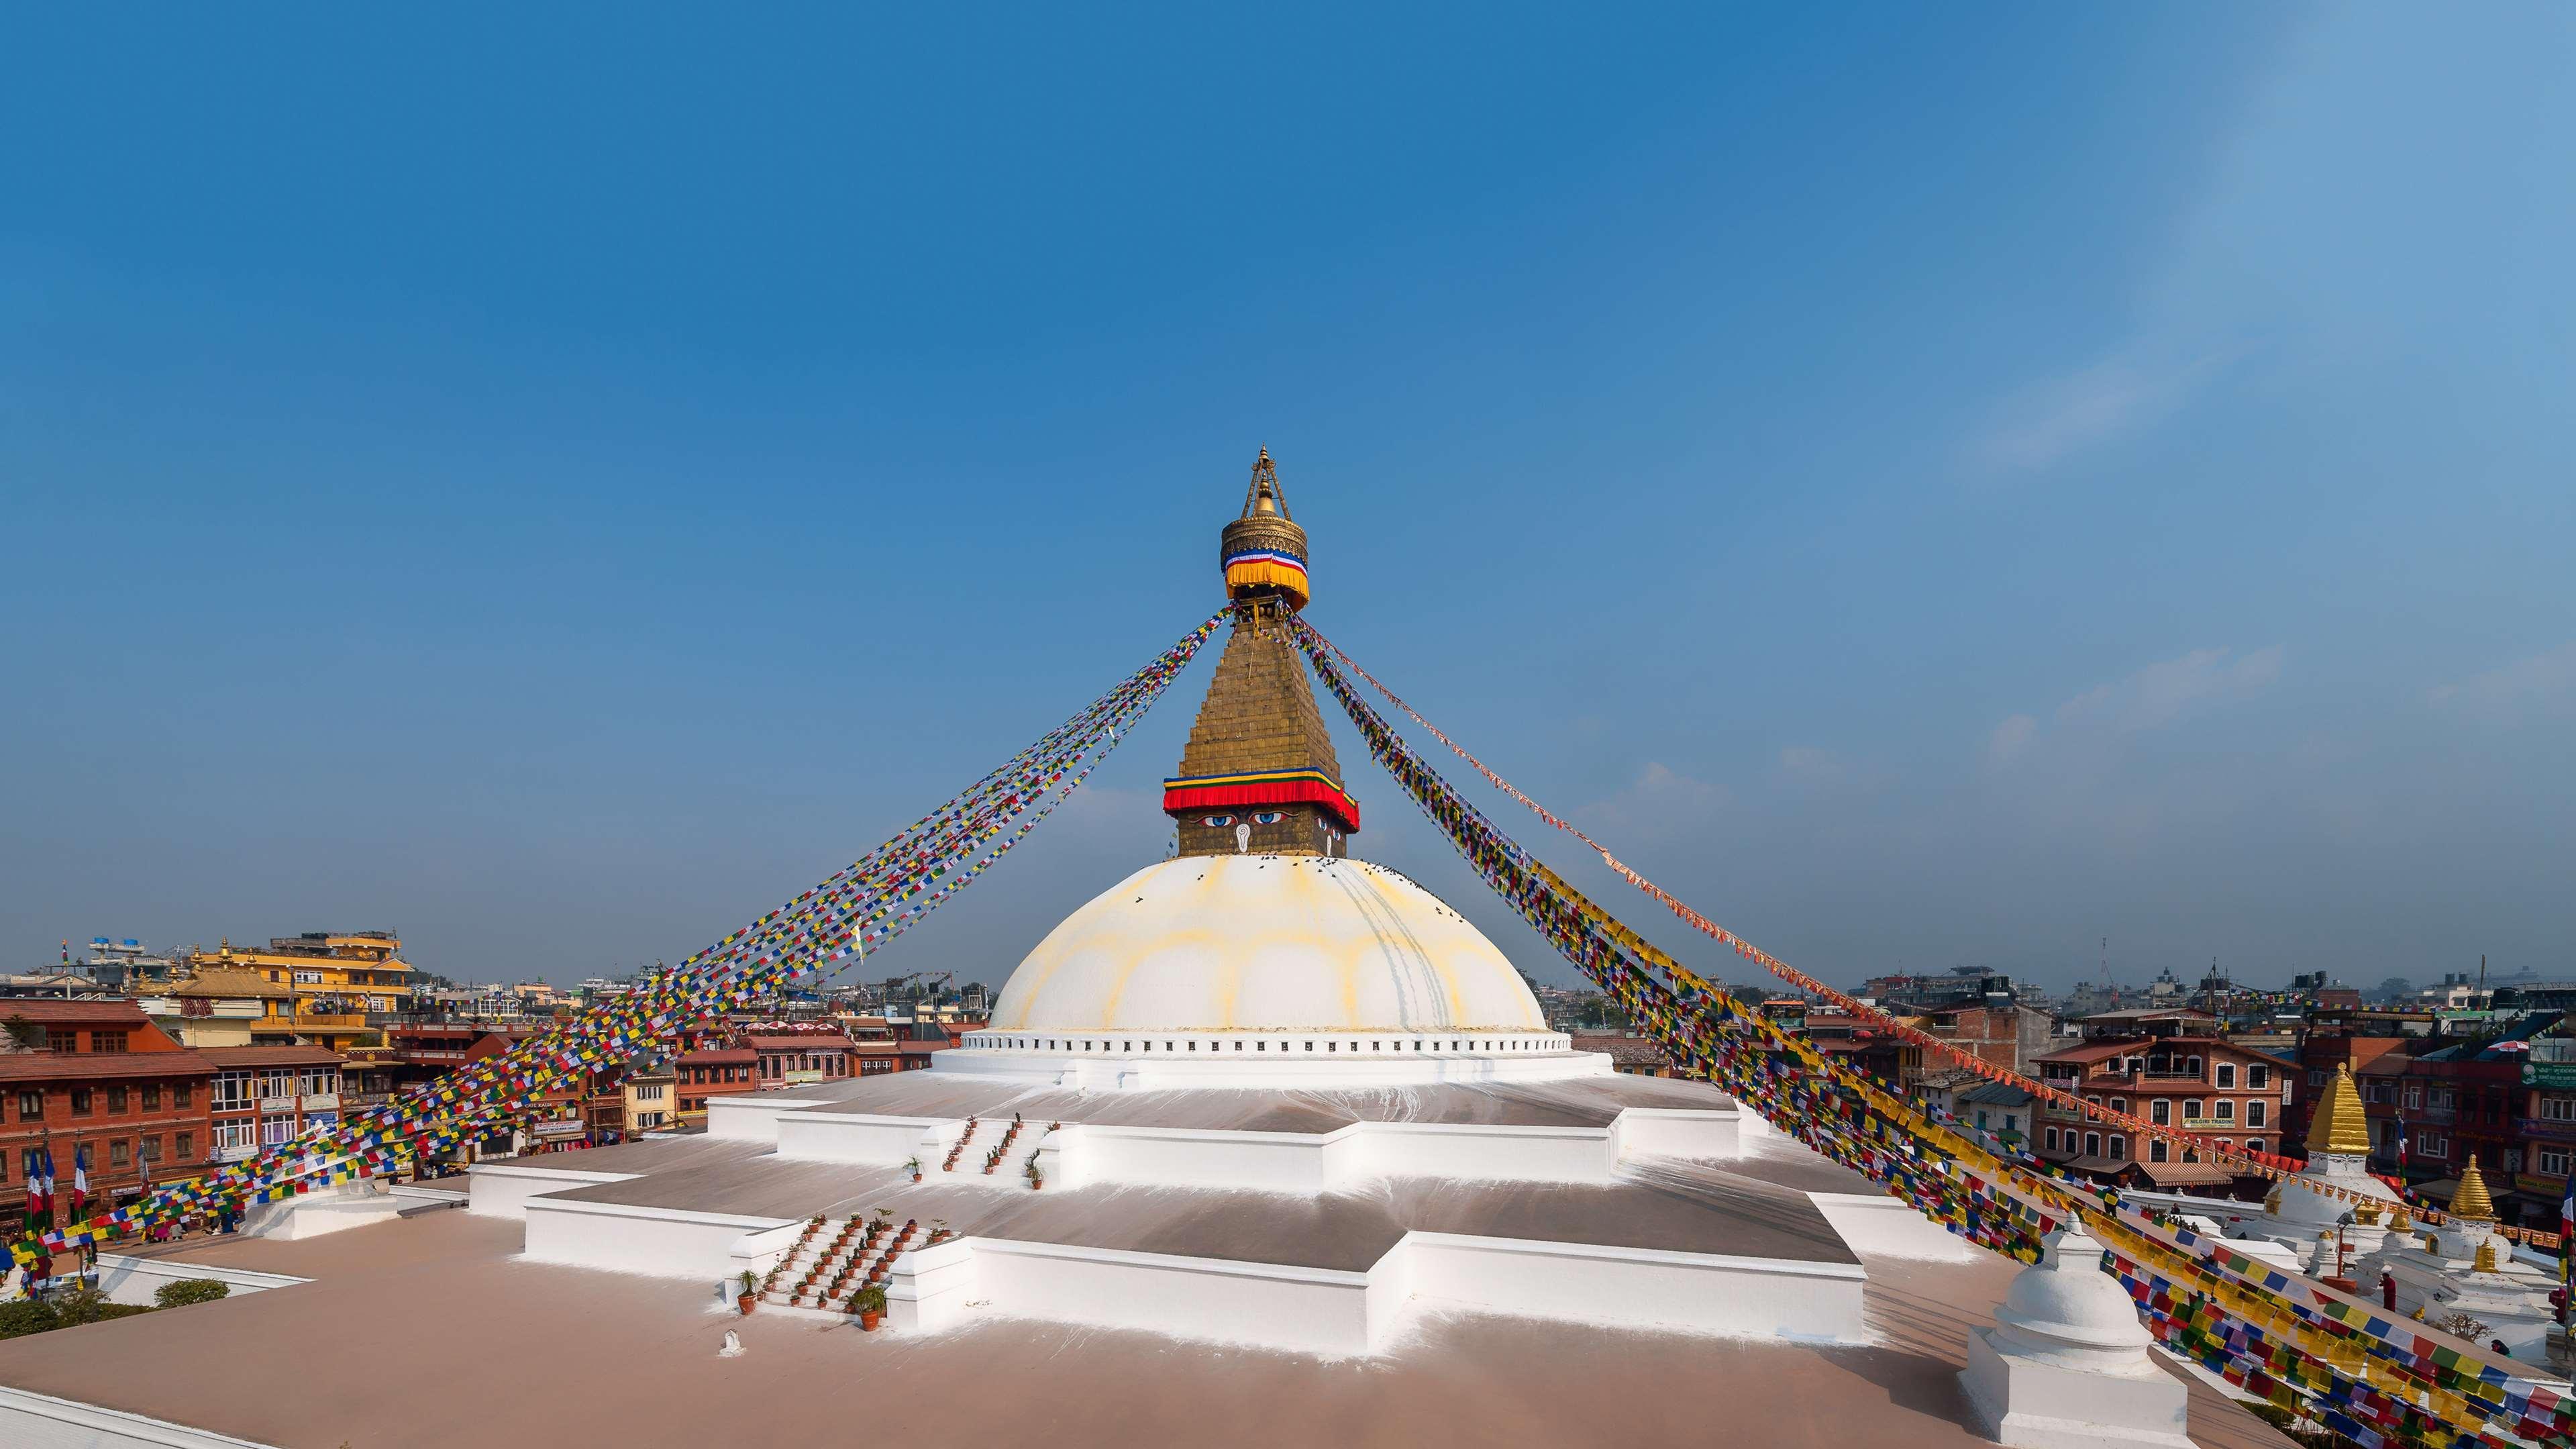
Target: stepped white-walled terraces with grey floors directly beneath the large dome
{"x": 1307, "y": 1221}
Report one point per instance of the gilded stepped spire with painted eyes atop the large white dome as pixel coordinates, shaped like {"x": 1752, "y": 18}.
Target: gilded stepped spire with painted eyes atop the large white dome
{"x": 1258, "y": 772}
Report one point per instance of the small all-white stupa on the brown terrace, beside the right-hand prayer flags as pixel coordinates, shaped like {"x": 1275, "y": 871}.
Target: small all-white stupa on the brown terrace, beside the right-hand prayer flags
{"x": 2067, "y": 1363}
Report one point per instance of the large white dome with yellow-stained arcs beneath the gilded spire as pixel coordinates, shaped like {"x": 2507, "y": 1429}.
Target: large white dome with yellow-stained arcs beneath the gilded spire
{"x": 1266, "y": 945}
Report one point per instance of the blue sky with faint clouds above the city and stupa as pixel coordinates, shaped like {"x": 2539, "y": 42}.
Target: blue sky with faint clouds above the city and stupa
{"x": 1928, "y": 486}
